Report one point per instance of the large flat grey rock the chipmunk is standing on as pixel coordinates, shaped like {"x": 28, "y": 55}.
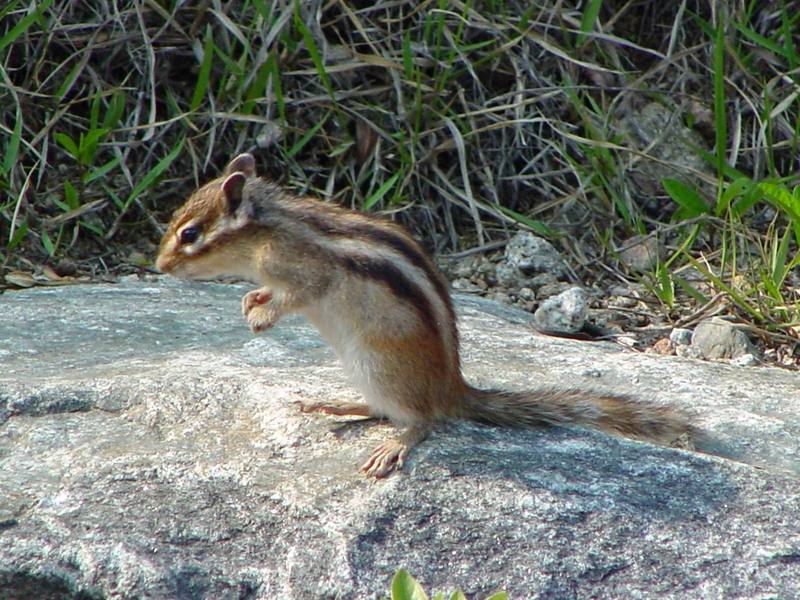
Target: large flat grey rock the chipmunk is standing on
{"x": 150, "y": 448}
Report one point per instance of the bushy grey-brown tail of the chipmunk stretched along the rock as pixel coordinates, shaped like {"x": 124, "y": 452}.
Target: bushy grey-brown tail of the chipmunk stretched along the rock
{"x": 611, "y": 413}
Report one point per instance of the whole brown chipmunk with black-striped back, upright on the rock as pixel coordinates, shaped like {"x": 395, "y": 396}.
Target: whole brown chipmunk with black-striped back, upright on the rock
{"x": 377, "y": 298}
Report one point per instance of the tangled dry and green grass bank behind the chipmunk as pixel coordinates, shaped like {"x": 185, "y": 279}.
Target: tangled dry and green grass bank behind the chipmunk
{"x": 589, "y": 122}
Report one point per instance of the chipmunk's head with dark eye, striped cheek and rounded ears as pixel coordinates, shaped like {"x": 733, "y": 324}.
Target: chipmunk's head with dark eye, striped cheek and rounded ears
{"x": 205, "y": 237}
